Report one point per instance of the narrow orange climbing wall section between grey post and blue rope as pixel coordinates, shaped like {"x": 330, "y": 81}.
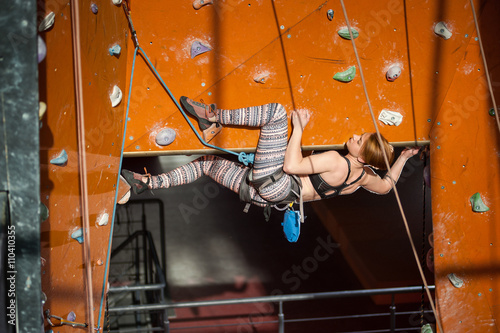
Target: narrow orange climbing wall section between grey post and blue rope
{"x": 63, "y": 268}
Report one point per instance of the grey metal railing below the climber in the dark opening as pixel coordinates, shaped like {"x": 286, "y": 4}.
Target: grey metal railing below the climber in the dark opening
{"x": 280, "y": 299}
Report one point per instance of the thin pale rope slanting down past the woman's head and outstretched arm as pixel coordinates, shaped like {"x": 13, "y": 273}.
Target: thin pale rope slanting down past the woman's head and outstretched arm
{"x": 386, "y": 160}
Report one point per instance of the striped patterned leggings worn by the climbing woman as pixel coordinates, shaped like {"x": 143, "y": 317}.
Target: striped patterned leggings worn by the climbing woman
{"x": 269, "y": 157}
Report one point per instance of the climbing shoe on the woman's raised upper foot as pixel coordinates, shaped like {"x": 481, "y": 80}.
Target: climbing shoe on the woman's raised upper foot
{"x": 203, "y": 112}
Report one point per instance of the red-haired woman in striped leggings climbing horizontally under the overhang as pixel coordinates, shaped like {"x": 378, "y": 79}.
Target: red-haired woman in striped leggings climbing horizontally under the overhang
{"x": 280, "y": 171}
